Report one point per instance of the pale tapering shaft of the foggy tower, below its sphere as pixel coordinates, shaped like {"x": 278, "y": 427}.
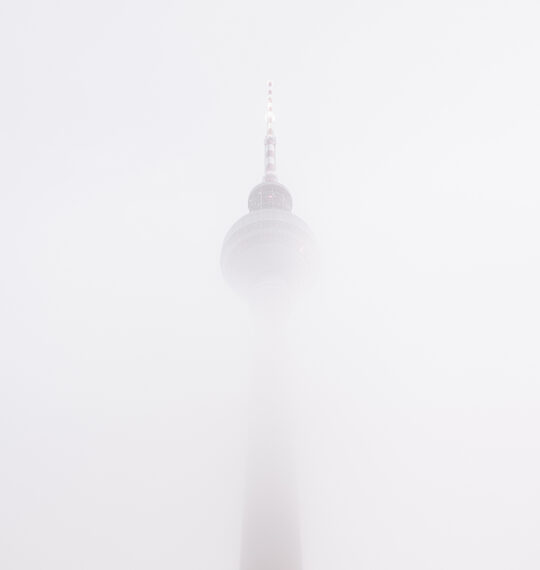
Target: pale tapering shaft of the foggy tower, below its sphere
{"x": 271, "y": 533}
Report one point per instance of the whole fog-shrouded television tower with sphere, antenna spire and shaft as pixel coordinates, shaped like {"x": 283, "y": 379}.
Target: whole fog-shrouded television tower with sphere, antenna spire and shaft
{"x": 268, "y": 256}
